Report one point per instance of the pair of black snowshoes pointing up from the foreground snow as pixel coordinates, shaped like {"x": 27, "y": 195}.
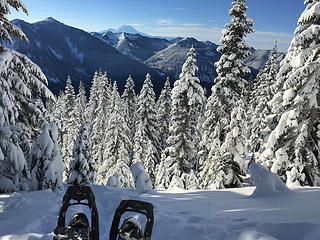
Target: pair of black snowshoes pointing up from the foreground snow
{"x": 79, "y": 227}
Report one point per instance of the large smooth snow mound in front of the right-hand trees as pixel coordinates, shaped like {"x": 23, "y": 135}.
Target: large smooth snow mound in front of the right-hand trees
{"x": 267, "y": 183}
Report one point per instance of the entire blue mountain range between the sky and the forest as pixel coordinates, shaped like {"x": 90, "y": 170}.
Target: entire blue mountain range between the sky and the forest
{"x": 61, "y": 50}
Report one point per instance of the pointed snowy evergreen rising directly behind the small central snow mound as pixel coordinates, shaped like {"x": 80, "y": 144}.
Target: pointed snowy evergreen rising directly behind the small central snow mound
{"x": 147, "y": 127}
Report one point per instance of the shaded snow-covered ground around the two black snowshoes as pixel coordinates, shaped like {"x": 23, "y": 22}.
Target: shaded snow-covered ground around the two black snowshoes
{"x": 224, "y": 214}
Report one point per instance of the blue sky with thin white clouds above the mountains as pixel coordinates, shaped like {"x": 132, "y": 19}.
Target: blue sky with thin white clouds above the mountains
{"x": 202, "y": 19}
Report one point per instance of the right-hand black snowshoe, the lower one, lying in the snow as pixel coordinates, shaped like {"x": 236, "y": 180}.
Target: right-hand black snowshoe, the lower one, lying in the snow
{"x": 131, "y": 228}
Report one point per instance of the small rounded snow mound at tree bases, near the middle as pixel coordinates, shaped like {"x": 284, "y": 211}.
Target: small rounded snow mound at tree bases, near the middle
{"x": 141, "y": 178}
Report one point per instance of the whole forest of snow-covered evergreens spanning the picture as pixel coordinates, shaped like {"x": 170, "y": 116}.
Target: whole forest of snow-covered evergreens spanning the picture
{"x": 184, "y": 138}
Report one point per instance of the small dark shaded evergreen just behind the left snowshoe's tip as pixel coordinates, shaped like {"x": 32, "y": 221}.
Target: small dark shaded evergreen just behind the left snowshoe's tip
{"x": 83, "y": 168}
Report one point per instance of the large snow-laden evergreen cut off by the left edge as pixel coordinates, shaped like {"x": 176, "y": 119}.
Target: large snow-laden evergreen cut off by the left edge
{"x": 22, "y": 113}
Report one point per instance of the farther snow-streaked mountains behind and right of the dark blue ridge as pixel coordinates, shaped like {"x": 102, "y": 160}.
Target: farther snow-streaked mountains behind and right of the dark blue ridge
{"x": 169, "y": 56}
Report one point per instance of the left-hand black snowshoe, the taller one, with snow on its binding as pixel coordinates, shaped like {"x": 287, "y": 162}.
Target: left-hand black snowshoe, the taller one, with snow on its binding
{"x": 78, "y": 227}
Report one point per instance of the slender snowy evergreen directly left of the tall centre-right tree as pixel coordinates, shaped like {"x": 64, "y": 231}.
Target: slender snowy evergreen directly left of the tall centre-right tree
{"x": 163, "y": 113}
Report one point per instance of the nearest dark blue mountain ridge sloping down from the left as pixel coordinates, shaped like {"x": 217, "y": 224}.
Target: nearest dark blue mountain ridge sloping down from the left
{"x": 61, "y": 50}
